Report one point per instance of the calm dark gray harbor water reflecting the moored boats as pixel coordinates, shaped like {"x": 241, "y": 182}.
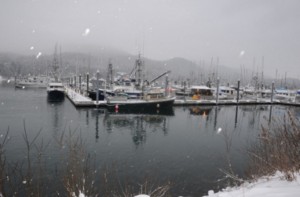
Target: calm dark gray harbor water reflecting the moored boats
{"x": 188, "y": 146}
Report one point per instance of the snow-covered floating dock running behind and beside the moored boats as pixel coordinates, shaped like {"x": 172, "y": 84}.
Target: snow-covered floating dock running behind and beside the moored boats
{"x": 80, "y": 100}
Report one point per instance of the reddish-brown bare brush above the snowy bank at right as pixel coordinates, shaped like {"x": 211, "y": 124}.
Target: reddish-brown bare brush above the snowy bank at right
{"x": 277, "y": 149}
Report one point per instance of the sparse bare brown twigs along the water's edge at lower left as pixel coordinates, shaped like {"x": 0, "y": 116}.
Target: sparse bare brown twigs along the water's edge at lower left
{"x": 77, "y": 171}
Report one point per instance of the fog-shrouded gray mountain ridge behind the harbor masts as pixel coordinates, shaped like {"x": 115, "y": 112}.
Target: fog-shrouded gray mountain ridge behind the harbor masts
{"x": 81, "y": 62}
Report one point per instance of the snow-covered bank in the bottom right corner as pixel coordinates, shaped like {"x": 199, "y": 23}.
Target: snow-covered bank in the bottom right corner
{"x": 267, "y": 187}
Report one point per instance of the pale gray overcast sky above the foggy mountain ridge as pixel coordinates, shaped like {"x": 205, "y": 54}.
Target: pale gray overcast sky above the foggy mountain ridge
{"x": 235, "y": 31}
